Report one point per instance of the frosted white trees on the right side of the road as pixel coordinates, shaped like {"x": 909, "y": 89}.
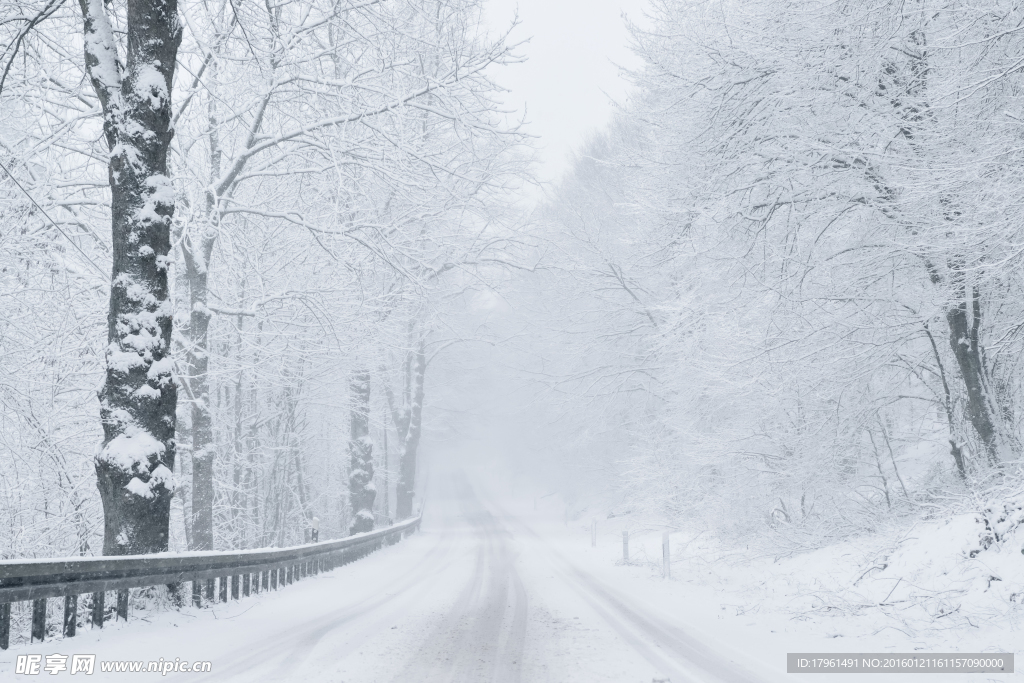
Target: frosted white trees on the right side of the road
{"x": 795, "y": 267}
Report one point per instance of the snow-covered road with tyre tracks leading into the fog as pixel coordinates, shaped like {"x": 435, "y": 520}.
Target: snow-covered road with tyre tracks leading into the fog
{"x": 478, "y": 596}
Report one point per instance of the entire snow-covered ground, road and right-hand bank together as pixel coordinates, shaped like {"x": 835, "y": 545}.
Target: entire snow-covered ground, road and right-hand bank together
{"x": 498, "y": 588}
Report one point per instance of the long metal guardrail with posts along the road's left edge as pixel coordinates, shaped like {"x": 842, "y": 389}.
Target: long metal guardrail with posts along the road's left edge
{"x": 250, "y": 571}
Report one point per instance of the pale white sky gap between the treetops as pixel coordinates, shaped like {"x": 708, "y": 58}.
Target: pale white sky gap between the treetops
{"x": 571, "y": 73}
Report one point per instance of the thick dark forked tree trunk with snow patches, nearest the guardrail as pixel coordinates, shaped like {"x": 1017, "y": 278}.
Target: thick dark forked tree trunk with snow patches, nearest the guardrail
{"x": 139, "y": 399}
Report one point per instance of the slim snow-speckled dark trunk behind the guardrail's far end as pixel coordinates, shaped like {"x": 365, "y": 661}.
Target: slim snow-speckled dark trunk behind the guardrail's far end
{"x": 361, "y": 462}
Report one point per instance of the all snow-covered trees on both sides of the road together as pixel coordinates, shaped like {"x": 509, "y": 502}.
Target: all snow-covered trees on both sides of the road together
{"x": 780, "y": 295}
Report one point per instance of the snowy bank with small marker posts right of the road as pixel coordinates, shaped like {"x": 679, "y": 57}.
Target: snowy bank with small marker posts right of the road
{"x": 947, "y": 586}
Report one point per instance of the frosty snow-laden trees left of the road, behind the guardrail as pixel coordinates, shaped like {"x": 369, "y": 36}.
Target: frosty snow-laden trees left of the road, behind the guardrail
{"x": 302, "y": 188}
